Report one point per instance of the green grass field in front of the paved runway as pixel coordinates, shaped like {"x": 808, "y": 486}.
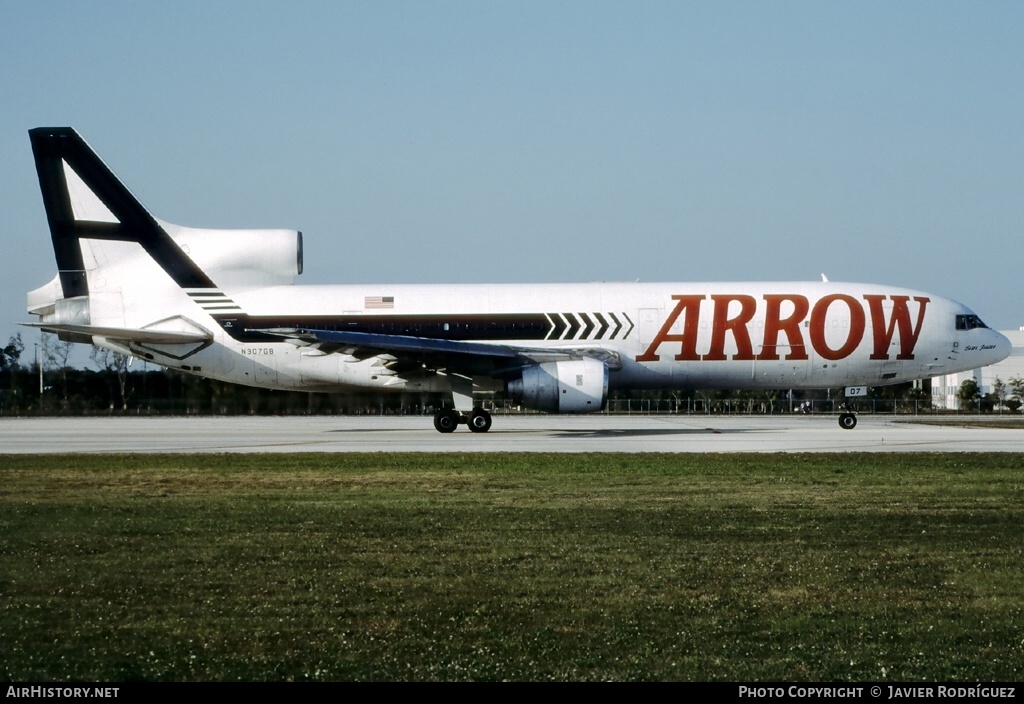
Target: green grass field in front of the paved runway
{"x": 513, "y": 567}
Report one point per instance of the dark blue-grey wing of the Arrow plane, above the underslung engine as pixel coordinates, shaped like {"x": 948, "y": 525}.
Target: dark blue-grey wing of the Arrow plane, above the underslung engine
{"x": 453, "y": 356}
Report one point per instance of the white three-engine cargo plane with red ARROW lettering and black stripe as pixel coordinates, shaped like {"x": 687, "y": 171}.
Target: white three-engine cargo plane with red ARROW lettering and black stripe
{"x": 224, "y": 304}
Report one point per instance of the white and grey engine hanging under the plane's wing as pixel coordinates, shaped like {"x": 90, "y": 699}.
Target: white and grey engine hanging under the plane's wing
{"x": 578, "y": 386}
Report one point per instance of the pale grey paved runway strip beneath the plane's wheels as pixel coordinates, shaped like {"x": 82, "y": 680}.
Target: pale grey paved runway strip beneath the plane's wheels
{"x": 509, "y": 434}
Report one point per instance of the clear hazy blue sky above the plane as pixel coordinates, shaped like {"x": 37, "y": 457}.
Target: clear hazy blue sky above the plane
{"x": 540, "y": 142}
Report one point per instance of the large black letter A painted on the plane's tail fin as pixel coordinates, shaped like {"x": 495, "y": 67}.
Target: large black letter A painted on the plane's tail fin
{"x": 84, "y": 200}
